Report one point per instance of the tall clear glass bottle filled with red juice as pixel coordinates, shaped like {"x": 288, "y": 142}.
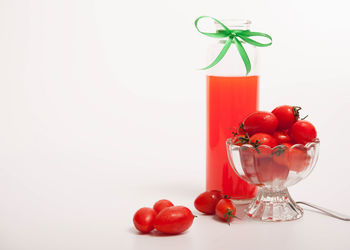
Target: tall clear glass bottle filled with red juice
{"x": 231, "y": 95}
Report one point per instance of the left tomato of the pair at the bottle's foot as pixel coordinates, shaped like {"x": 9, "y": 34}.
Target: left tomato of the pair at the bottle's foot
{"x": 206, "y": 202}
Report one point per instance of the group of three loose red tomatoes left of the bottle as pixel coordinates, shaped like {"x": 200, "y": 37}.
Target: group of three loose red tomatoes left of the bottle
{"x": 164, "y": 217}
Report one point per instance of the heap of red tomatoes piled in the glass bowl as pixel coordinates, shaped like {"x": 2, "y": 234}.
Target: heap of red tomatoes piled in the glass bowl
{"x": 273, "y": 136}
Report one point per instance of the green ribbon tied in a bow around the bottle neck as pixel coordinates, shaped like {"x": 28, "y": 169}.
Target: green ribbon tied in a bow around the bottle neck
{"x": 232, "y": 37}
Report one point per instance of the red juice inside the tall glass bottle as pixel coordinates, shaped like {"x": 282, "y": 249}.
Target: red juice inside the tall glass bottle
{"x": 229, "y": 100}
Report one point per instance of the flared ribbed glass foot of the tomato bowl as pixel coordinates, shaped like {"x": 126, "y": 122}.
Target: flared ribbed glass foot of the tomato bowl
{"x": 274, "y": 206}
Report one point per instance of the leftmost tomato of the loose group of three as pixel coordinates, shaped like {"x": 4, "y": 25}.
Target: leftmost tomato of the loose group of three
{"x": 144, "y": 219}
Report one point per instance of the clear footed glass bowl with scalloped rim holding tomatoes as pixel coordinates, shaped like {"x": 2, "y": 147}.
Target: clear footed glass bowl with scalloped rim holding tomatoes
{"x": 273, "y": 170}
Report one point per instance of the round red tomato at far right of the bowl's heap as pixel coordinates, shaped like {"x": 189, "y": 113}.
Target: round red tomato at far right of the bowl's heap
{"x": 303, "y": 132}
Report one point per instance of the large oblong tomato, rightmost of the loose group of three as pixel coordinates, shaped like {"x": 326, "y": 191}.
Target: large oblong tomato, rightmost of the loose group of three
{"x": 174, "y": 220}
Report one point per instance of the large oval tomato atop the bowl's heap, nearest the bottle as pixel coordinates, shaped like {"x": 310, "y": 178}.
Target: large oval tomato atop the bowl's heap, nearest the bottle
{"x": 260, "y": 122}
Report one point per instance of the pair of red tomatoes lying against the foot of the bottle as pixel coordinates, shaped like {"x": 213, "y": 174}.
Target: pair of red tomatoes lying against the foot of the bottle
{"x": 214, "y": 202}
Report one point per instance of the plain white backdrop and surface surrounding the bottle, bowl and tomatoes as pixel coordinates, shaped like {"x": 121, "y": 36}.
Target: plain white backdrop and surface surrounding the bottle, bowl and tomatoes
{"x": 103, "y": 111}
